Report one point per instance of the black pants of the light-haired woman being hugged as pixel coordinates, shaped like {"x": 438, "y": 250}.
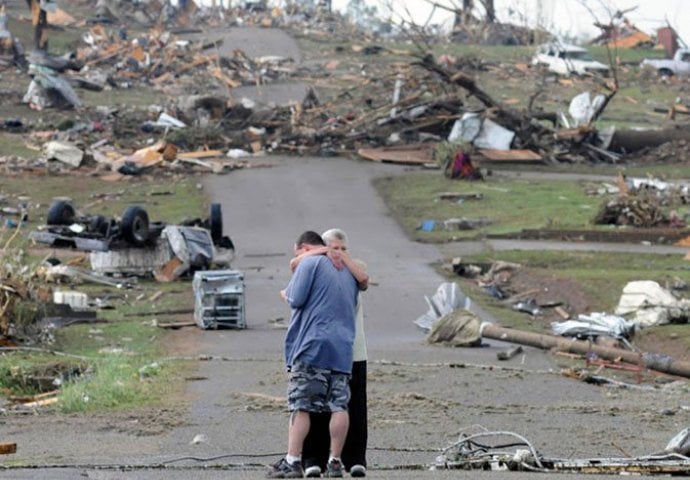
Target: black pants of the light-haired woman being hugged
{"x": 316, "y": 446}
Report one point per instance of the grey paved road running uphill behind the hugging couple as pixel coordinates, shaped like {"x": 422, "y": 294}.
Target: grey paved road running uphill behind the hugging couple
{"x": 421, "y": 397}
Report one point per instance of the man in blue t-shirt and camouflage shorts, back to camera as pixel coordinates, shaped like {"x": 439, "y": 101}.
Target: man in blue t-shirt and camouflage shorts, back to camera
{"x": 318, "y": 351}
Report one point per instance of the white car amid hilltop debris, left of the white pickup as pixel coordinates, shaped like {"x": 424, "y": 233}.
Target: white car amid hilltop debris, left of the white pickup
{"x": 565, "y": 59}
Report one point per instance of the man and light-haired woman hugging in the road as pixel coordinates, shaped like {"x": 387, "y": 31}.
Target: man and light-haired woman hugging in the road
{"x": 325, "y": 355}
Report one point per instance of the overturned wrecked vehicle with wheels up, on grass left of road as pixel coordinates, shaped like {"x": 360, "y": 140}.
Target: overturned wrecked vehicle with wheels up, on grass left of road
{"x": 131, "y": 244}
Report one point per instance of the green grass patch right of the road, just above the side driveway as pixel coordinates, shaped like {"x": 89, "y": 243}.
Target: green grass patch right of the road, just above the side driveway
{"x": 509, "y": 204}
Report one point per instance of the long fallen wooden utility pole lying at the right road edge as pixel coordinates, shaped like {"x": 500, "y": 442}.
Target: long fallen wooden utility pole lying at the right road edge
{"x": 654, "y": 361}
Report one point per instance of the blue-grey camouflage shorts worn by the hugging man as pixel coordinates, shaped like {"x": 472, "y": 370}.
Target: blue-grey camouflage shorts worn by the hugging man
{"x": 312, "y": 389}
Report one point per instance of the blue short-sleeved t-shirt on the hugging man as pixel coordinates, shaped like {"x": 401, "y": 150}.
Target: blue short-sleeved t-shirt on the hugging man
{"x": 322, "y": 325}
